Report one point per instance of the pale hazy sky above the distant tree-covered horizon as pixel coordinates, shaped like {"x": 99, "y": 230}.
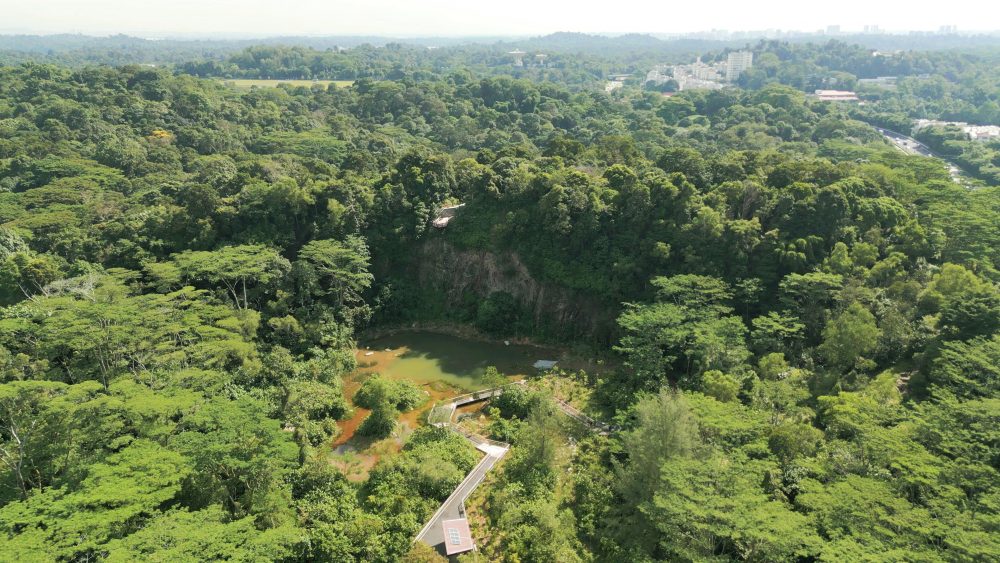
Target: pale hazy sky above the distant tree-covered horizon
{"x": 154, "y": 18}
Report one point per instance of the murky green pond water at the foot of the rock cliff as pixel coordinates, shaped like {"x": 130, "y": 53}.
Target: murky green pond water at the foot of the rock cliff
{"x": 426, "y": 357}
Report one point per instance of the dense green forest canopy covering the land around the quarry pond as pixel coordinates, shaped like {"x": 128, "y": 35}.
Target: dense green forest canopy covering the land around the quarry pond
{"x": 797, "y": 322}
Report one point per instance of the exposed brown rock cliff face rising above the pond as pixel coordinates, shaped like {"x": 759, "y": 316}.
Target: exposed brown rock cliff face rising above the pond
{"x": 443, "y": 268}
